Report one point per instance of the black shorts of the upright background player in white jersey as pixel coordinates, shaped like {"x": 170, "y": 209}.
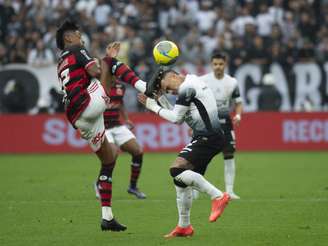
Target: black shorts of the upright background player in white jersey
{"x": 229, "y": 134}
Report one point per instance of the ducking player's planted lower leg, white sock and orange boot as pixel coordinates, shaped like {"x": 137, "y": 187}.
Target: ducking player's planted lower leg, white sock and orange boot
{"x": 184, "y": 202}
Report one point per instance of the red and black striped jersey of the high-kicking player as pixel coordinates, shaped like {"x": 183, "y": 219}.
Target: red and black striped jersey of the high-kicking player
{"x": 74, "y": 79}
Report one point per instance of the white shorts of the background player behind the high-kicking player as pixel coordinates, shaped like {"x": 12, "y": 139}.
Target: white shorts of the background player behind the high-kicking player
{"x": 119, "y": 135}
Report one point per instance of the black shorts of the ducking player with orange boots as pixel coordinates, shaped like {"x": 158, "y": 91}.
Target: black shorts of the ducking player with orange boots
{"x": 200, "y": 151}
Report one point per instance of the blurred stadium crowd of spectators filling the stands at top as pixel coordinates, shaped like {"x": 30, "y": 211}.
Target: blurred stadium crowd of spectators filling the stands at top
{"x": 256, "y": 31}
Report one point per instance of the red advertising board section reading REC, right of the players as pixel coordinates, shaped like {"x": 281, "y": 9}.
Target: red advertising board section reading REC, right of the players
{"x": 283, "y": 131}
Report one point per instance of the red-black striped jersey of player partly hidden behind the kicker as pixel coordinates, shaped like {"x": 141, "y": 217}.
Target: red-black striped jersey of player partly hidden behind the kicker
{"x": 112, "y": 115}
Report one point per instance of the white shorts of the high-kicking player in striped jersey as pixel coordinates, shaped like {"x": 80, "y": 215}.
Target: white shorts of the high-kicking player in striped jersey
{"x": 91, "y": 121}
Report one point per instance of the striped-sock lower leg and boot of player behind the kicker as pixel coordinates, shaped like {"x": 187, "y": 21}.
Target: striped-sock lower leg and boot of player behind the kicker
{"x": 135, "y": 173}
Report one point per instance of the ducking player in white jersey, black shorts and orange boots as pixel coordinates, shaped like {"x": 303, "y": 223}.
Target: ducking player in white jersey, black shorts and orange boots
{"x": 196, "y": 106}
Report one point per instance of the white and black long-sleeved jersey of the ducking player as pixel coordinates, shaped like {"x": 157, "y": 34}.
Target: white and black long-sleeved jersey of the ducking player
{"x": 196, "y": 106}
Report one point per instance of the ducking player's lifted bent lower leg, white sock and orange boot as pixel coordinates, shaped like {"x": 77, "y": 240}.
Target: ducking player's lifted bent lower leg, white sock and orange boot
{"x": 197, "y": 181}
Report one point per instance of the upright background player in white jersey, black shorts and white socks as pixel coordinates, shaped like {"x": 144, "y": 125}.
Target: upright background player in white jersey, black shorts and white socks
{"x": 226, "y": 92}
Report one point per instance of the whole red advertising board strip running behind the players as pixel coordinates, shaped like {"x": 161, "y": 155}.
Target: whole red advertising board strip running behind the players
{"x": 257, "y": 132}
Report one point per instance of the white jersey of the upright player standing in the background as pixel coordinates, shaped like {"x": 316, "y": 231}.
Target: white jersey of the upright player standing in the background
{"x": 225, "y": 91}
